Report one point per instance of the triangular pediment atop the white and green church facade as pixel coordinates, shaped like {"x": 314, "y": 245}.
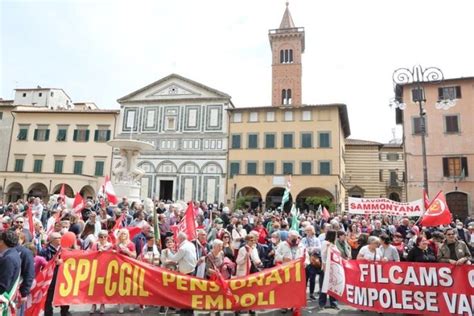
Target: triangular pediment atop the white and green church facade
{"x": 173, "y": 87}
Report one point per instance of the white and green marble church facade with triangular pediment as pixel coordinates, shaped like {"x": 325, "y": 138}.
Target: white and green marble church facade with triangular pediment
{"x": 187, "y": 122}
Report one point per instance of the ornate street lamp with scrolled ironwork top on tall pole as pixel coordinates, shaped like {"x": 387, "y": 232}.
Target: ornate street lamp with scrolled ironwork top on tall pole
{"x": 417, "y": 77}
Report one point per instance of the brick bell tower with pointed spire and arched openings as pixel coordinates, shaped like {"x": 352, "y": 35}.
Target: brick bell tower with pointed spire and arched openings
{"x": 287, "y": 43}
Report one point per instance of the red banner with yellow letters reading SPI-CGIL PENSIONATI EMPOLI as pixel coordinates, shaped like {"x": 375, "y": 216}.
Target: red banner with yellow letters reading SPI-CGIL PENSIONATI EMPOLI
{"x": 122, "y": 280}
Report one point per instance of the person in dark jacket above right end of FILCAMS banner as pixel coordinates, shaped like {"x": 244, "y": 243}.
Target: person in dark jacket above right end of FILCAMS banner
{"x": 454, "y": 251}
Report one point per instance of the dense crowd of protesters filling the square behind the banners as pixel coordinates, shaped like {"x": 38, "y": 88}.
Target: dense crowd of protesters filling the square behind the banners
{"x": 229, "y": 242}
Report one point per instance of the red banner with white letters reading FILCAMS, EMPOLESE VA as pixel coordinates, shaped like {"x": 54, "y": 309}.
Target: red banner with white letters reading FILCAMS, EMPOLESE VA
{"x": 402, "y": 287}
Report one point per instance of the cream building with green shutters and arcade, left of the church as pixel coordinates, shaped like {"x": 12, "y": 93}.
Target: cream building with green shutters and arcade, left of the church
{"x": 49, "y": 147}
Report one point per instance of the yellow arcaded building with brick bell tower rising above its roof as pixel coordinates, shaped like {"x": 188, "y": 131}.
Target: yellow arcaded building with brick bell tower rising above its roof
{"x": 266, "y": 144}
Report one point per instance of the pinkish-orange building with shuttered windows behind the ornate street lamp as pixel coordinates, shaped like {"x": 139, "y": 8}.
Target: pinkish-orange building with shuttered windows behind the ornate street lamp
{"x": 449, "y": 142}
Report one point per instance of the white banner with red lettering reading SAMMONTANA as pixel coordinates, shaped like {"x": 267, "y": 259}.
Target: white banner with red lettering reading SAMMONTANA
{"x": 382, "y": 206}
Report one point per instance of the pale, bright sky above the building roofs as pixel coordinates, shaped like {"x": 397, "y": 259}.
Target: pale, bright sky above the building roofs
{"x": 101, "y": 50}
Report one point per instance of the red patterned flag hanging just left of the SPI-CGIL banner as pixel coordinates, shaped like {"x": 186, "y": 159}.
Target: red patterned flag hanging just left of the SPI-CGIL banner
{"x": 39, "y": 289}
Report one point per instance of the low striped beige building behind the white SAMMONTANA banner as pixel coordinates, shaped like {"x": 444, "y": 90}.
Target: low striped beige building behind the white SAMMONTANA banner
{"x": 375, "y": 170}
